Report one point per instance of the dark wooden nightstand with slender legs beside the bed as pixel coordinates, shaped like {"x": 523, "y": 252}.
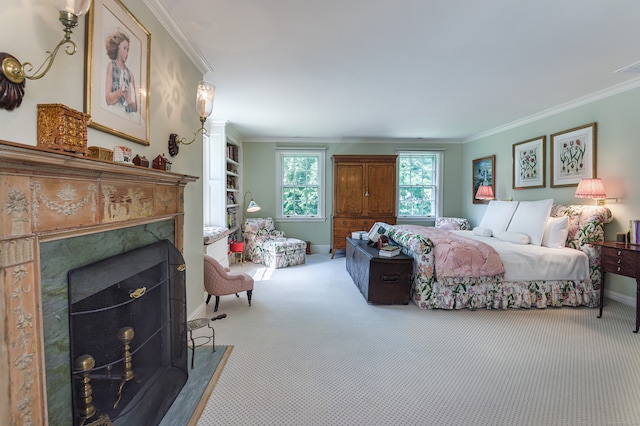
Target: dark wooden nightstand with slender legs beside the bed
{"x": 622, "y": 259}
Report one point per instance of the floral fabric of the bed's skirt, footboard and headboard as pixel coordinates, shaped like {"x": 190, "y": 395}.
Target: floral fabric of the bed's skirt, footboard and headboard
{"x": 586, "y": 226}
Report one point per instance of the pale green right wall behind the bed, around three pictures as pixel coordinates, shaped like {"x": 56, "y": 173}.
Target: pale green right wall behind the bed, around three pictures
{"x": 618, "y": 134}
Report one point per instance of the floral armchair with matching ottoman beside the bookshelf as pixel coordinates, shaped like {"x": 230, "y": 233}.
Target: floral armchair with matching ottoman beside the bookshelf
{"x": 266, "y": 245}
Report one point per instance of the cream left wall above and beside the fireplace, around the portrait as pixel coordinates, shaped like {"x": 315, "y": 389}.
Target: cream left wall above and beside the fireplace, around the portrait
{"x": 173, "y": 80}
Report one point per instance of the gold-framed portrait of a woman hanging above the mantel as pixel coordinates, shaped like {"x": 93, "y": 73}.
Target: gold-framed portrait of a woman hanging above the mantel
{"x": 117, "y": 72}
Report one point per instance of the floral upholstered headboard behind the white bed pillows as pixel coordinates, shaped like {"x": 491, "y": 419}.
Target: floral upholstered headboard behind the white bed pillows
{"x": 586, "y": 227}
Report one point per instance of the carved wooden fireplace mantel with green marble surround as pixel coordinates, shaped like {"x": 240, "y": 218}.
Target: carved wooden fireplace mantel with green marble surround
{"x": 47, "y": 201}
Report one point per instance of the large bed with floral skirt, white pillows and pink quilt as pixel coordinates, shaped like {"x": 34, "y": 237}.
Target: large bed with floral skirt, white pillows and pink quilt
{"x": 514, "y": 287}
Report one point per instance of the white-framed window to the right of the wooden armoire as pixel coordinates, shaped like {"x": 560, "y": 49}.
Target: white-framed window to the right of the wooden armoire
{"x": 419, "y": 181}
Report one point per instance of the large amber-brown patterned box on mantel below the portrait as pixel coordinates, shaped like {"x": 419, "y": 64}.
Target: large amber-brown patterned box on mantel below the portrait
{"x": 62, "y": 128}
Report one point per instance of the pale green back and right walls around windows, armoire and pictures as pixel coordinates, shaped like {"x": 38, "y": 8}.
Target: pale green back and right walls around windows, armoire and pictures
{"x": 617, "y": 148}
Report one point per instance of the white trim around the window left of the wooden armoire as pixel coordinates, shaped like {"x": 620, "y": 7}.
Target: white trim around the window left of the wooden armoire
{"x": 321, "y": 152}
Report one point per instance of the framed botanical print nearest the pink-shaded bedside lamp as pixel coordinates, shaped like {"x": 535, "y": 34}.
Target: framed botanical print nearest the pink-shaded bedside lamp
{"x": 573, "y": 155}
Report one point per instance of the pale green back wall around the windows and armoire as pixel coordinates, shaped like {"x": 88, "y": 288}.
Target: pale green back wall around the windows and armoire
{"x": 260, "y": 178}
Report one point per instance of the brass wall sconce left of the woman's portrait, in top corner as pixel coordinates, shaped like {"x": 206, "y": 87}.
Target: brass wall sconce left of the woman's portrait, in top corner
{"x": 13, "y": 73}
